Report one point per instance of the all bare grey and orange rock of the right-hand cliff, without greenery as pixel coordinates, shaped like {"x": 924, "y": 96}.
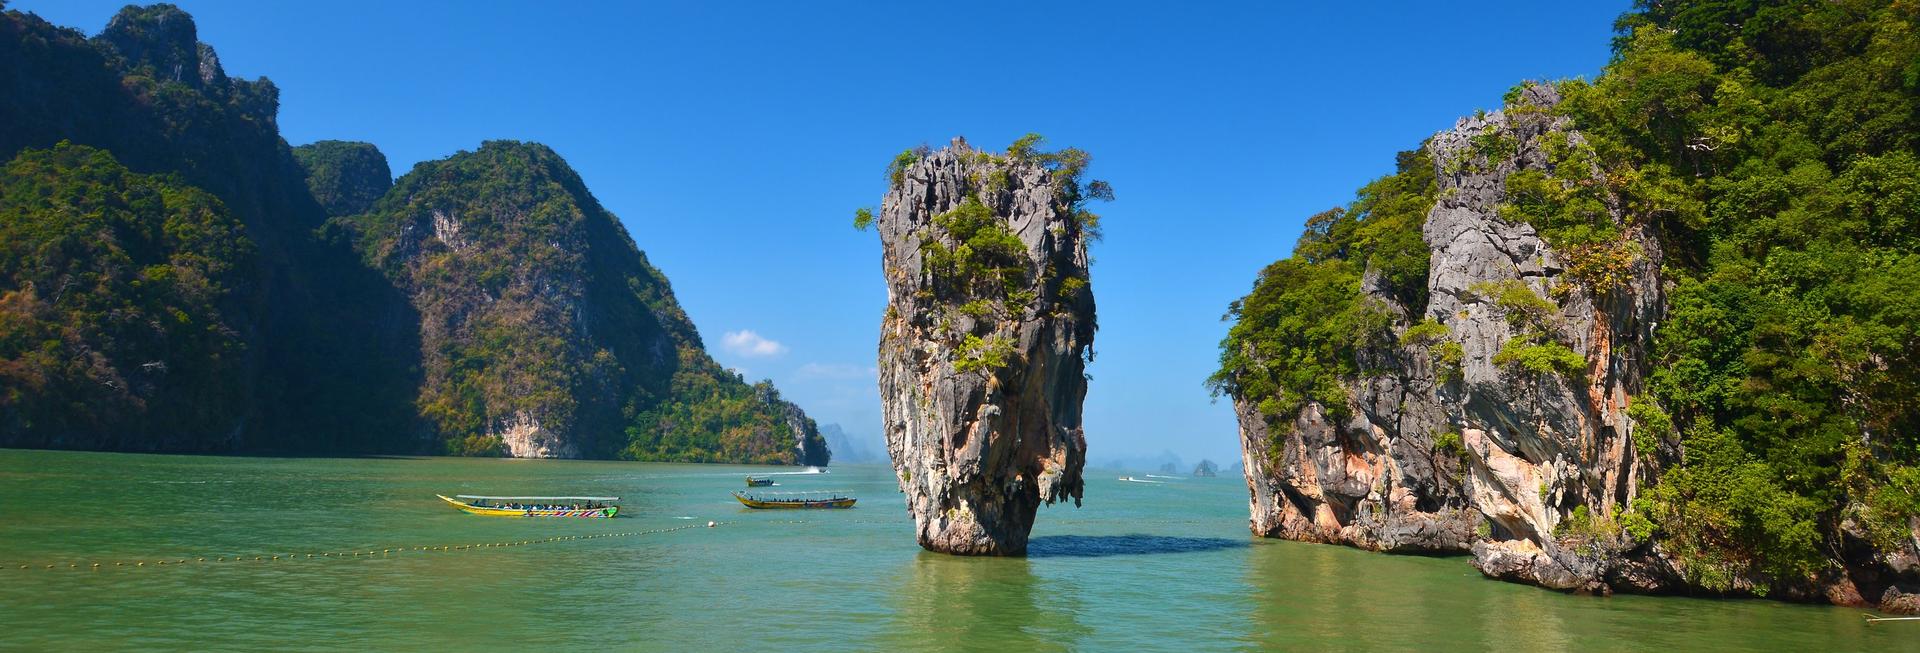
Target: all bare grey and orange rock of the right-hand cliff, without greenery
{"x": 1433, "y": 448}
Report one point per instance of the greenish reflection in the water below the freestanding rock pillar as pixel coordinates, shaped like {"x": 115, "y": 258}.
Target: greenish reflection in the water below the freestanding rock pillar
{"x": 978, "y": 604}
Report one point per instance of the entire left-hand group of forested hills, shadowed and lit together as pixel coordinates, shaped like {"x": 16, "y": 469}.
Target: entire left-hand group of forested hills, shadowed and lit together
{"x": 176, "y": 278}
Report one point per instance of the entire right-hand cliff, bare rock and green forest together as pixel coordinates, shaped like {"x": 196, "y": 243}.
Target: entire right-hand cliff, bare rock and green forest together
{"x": 1650, "y": 333}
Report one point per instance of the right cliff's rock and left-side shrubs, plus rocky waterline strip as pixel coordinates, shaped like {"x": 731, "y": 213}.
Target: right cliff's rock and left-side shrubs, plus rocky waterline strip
{"x": 1506, "y": 410}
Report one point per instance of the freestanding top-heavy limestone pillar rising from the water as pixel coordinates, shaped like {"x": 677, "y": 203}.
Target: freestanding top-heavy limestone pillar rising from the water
{"x": 986, "y": 339}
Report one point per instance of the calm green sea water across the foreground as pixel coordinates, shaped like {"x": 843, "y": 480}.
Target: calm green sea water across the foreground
{"x": 1143, "y": 566}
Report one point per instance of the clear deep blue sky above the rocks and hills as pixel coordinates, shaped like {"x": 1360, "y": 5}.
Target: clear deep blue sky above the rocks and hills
{"x": 734, "y": 139}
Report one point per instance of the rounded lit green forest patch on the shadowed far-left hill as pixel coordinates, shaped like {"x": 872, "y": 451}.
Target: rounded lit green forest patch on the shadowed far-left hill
{"x": 122, "y": 299}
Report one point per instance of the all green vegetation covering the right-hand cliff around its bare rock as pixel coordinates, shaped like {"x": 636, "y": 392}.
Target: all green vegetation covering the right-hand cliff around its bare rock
{"x": 1773, "y": 155}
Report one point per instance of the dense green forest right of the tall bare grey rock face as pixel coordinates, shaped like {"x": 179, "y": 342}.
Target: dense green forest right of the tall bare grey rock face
{"x": 1775, "y": 147}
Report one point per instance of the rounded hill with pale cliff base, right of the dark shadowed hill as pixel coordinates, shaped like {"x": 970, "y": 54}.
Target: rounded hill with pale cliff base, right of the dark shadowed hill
{"x": 544, "y": 331}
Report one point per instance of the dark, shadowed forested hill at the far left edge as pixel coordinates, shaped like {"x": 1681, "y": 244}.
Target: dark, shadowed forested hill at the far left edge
{"x": 312, "y": 345}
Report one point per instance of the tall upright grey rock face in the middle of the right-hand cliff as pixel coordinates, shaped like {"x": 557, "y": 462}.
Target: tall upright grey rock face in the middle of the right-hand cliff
{"x": 1541, "y": 445}
